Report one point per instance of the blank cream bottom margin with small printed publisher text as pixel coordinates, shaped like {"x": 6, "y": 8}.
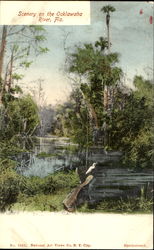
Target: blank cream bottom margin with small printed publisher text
{"x": 63, "y": 230}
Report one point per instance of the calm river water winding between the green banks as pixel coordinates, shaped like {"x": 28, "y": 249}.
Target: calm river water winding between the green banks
{"x": 51, "y": 154}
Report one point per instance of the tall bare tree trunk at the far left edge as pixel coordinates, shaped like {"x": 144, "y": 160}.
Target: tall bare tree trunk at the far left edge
{"x": 2, "y": 52}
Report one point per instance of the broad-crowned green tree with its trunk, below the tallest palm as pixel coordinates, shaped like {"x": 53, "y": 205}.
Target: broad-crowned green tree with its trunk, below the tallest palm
{"x": 95, "y": 66}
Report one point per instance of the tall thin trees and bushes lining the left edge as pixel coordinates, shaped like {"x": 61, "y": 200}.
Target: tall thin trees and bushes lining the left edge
{"x": 19, "y": 114}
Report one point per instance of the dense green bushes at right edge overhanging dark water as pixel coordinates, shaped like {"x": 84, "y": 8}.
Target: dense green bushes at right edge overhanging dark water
{"x": 139, "y": 119}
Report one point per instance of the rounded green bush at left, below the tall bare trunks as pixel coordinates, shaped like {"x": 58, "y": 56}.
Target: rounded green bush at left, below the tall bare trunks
{"x": 21, "y": 118}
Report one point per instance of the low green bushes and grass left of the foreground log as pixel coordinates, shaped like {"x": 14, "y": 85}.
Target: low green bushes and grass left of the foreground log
{"x": 33, "y": 193}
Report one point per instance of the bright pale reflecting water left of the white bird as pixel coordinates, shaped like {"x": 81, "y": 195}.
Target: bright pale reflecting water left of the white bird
{"x": 48, "y": 155}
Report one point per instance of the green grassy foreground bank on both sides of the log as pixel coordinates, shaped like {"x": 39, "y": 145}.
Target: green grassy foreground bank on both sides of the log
{"x": 48, "y": 193}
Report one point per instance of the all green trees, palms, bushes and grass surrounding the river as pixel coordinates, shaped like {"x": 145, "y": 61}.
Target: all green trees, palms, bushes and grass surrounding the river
{"x": 100, "y": 111}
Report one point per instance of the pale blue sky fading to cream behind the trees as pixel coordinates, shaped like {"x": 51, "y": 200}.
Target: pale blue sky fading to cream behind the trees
{"x": 131, "y": 36}
